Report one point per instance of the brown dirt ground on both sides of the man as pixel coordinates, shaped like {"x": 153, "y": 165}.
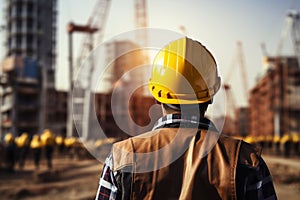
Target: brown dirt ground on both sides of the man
{"x": 78, "y": 180}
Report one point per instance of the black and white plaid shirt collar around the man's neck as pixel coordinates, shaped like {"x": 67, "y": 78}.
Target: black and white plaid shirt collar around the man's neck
{"x": 185, "y": 121}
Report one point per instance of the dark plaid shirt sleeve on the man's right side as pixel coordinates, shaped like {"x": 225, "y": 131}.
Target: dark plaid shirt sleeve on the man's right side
{"x": 255, "y": 184}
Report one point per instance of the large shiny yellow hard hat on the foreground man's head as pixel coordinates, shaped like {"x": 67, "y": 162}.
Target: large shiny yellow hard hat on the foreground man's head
{"x": 184, "y": 72}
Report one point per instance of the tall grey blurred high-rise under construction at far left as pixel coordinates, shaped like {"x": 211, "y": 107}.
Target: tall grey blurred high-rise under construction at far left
{"x": 29, "y": 66}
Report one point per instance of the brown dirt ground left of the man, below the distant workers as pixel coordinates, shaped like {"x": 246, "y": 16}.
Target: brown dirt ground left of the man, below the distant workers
{"x": 69, "y": 179}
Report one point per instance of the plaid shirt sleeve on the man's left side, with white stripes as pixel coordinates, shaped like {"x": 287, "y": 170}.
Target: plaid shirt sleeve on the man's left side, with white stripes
{"x": 107, "y": 189}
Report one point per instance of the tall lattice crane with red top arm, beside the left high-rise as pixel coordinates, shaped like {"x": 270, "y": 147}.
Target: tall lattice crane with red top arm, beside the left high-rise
{"x": 96, "y": 24}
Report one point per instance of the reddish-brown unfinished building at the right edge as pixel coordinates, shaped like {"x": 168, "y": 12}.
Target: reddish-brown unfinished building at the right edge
{"x": 274, "y": 101}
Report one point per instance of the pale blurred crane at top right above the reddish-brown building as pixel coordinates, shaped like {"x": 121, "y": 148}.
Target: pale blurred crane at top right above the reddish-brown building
{"x": 292, "y": 24}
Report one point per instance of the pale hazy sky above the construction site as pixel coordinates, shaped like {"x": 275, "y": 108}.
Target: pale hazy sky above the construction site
{"x": 217, "y": 24}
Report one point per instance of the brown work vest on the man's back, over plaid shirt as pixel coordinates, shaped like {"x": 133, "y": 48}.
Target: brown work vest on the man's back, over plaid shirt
{"x": 194, "y": 164}
